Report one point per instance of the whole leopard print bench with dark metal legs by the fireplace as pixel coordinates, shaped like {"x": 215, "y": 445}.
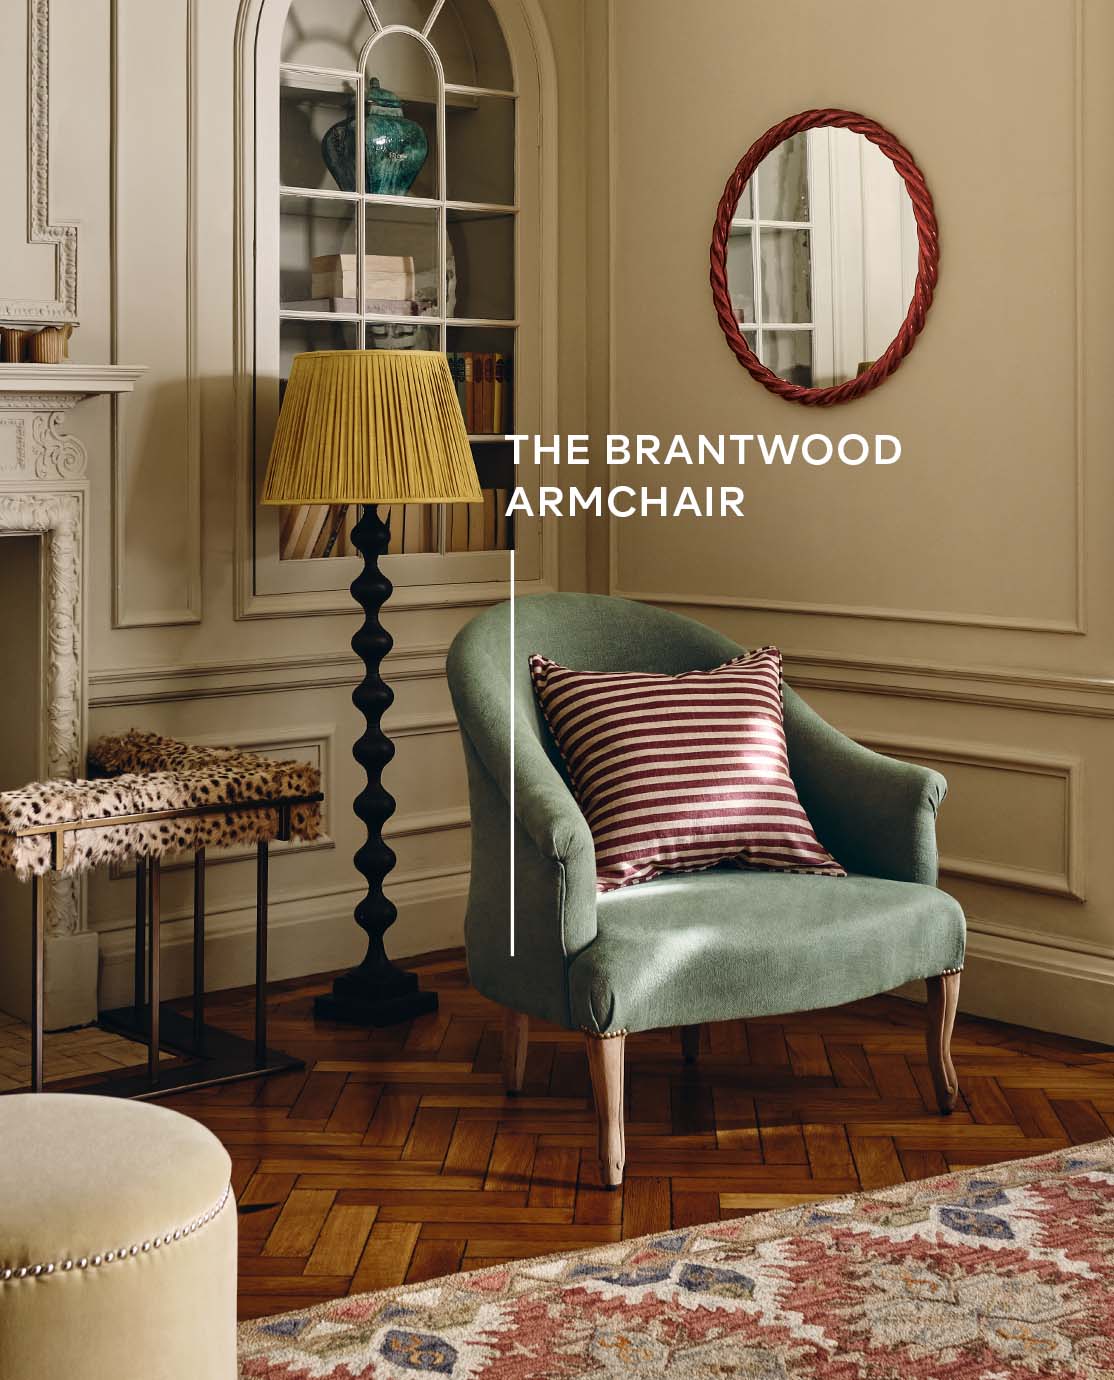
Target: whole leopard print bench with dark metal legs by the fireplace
{"x": 159, "y": 797}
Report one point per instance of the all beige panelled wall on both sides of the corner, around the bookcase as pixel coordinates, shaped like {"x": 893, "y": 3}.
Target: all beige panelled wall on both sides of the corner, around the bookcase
{"x": 953, "y": 608}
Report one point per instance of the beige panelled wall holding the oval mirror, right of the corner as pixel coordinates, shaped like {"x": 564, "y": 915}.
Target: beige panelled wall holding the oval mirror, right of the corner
{"x": 957, "y": 607}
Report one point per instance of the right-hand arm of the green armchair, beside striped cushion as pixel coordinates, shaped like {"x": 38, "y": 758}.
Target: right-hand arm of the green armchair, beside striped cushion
{"x": 876, "y": 815}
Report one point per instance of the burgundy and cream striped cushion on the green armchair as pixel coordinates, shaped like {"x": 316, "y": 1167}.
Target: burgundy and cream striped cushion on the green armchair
{"x": 678, "y": 773}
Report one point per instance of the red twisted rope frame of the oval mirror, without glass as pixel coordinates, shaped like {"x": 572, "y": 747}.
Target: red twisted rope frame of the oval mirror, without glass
{"x": 928, "y": 262}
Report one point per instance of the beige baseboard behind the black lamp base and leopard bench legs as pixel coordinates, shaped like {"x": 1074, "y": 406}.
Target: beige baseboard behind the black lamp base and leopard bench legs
{"x": 309, "y": 935}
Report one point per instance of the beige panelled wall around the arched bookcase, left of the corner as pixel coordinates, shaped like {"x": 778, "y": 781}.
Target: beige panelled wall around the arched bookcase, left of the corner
{"x": 165, "y": 652}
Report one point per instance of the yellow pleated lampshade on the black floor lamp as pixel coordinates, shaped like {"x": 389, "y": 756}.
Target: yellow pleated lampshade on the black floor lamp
{"x": 371, "y": 427}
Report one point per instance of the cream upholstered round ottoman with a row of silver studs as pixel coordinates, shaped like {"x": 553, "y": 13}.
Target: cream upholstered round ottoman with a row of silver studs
{"x": 118, "y": 1243}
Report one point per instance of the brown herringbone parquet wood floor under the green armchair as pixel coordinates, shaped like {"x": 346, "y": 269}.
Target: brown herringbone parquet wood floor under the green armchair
{"x": 397, "y": 1156}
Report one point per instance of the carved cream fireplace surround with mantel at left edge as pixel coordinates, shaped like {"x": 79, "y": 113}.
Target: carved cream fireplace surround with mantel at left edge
{"x": 43, "y": 492}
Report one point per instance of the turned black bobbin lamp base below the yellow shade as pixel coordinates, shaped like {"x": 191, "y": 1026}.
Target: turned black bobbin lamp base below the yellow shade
{"x": 376, "y": 993}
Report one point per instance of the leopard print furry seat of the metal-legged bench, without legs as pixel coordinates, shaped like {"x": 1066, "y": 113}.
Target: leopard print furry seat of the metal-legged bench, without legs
{"x": 137, "y": 773}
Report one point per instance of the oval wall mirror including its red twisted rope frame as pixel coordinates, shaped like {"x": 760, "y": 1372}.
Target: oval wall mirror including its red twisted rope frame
{"x": 825, "y": 257}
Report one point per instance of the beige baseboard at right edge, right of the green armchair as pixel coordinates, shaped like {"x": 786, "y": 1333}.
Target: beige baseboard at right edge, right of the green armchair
{"x": 1030, "y": 983}
